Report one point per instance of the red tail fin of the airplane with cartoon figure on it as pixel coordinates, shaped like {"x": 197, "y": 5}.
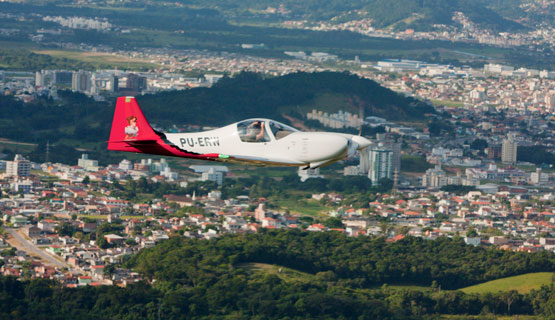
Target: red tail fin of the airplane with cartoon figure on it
{"x": 129, "y": 126}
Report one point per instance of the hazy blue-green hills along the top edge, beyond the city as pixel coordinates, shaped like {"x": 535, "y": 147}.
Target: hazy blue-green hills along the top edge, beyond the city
{"x": 497, "y": 15}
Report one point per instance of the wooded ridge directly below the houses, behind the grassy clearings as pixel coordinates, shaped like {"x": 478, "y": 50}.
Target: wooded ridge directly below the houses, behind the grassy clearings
{"x": 359, "y": 262}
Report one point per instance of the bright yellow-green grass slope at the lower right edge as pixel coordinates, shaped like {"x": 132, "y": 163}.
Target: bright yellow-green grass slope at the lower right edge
{"x": 522, "y": 283}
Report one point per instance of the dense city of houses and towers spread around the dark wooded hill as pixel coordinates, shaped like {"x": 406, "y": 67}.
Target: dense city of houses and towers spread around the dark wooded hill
{"x": 74, "y": 218}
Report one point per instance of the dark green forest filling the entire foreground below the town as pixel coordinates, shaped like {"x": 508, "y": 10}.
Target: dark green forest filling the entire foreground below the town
{"x": 200, "y": 279}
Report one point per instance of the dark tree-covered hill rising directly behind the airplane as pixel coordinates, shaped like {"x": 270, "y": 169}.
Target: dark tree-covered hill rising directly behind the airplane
{"x": 250, "y": 95}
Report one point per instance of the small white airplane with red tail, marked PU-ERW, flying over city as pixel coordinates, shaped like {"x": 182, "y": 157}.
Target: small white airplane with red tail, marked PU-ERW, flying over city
{"x": 253, "y": 141}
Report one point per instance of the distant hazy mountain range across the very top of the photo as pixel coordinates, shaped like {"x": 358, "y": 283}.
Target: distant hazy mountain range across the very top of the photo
{"x": 506, "y": 15}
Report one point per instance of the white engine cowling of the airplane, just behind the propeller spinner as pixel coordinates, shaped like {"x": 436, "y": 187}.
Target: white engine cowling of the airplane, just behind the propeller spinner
{"x": 322, "y": 146}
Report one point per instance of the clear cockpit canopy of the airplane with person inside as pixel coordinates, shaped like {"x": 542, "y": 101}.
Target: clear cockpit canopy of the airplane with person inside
{"x": 263, "y": 130}
